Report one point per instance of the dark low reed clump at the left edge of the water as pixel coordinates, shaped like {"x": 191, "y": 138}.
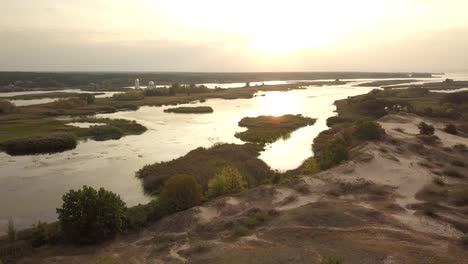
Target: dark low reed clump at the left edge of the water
{"x": 40, "y": 144}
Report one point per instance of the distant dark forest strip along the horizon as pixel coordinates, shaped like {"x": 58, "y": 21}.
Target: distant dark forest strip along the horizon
{"x": 18, "y": 81}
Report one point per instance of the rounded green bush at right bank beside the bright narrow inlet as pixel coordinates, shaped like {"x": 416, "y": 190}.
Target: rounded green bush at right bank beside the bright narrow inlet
{"x": 335, "y": 152}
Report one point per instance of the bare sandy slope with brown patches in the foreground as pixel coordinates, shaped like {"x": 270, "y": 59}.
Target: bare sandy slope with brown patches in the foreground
{"x": 362, "y": 211}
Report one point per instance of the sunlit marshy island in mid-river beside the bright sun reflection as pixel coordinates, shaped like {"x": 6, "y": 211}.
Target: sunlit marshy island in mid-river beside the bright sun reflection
{"x": 268, "y": 129}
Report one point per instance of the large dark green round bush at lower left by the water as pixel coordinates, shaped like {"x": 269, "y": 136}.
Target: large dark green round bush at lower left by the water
{"x": 89, "y": 216}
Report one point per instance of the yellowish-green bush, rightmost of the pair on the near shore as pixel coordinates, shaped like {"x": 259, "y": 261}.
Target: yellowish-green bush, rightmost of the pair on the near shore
{"x": 227, "y": 181}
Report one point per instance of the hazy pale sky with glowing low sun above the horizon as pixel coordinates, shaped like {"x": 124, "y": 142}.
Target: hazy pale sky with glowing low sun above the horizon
{"x": 240, "y": 35}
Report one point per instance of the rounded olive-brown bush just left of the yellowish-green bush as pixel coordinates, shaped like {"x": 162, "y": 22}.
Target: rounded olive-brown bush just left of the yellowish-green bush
{"x": 179, "y": 193}
